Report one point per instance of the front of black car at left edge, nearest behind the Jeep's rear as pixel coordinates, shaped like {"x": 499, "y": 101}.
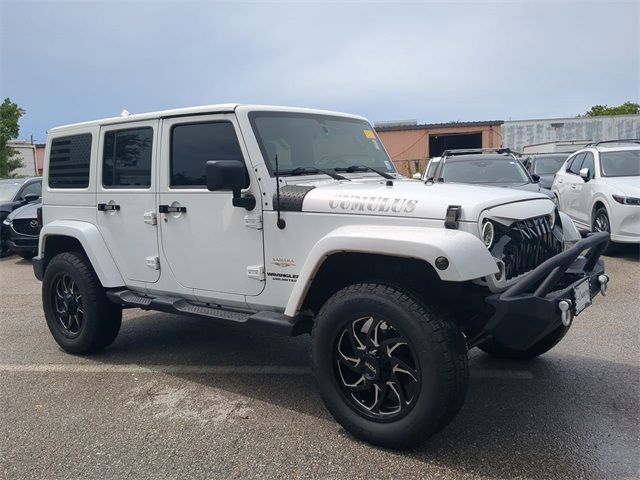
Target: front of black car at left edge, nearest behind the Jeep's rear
{"x": 22, "y": 229}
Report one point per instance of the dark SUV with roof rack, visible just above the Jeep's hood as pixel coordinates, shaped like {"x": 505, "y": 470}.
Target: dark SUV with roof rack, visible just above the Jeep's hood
{"x": 487, "y": 166}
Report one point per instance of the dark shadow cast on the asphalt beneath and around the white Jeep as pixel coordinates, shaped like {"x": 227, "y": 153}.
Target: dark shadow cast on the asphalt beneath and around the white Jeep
{"x": 552, "y": 417}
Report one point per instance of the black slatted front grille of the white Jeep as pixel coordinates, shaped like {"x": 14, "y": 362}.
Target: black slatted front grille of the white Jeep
{"x": 526, "y": 244}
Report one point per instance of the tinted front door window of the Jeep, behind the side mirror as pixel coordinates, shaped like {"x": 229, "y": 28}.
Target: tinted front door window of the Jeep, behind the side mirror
{"x": 194, "y": 144}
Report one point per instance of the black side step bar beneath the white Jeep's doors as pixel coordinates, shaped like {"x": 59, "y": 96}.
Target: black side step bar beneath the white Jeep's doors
{"x": 266, "y": 320}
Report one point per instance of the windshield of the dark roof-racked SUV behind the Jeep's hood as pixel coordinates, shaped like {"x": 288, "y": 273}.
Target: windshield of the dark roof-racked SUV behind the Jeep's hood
{"x": 484, "y": 171}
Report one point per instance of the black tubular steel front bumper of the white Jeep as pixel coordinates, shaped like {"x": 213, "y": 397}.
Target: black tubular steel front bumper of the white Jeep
{"x": 529, "y": 310}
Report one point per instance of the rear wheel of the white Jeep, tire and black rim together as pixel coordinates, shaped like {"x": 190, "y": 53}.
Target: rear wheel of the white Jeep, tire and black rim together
{"x": 80, "y": 317}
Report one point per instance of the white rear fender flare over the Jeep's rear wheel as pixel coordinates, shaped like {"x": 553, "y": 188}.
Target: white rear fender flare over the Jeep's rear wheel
{"x": 93, "y": 244}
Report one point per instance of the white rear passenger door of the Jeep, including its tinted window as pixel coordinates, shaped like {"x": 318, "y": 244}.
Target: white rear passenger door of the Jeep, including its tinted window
{"x": 126, "y": 198}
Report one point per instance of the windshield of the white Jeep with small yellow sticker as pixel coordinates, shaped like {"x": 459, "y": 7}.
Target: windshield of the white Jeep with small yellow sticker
{"x": 317, "y": 142}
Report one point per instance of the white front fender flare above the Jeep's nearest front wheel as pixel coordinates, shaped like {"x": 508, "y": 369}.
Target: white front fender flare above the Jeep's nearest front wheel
{"x": 468, "y": 257}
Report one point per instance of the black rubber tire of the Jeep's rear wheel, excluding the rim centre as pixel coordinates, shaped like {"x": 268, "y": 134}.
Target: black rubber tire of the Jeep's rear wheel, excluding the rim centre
{"x": 101, "y": 318}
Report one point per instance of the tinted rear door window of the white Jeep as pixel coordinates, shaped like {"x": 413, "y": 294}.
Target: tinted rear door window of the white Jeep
{"x": 126, "y": 158}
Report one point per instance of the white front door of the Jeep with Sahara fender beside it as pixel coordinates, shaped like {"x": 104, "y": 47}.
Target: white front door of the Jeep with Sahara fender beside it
{"x": 206, "y": 241}
